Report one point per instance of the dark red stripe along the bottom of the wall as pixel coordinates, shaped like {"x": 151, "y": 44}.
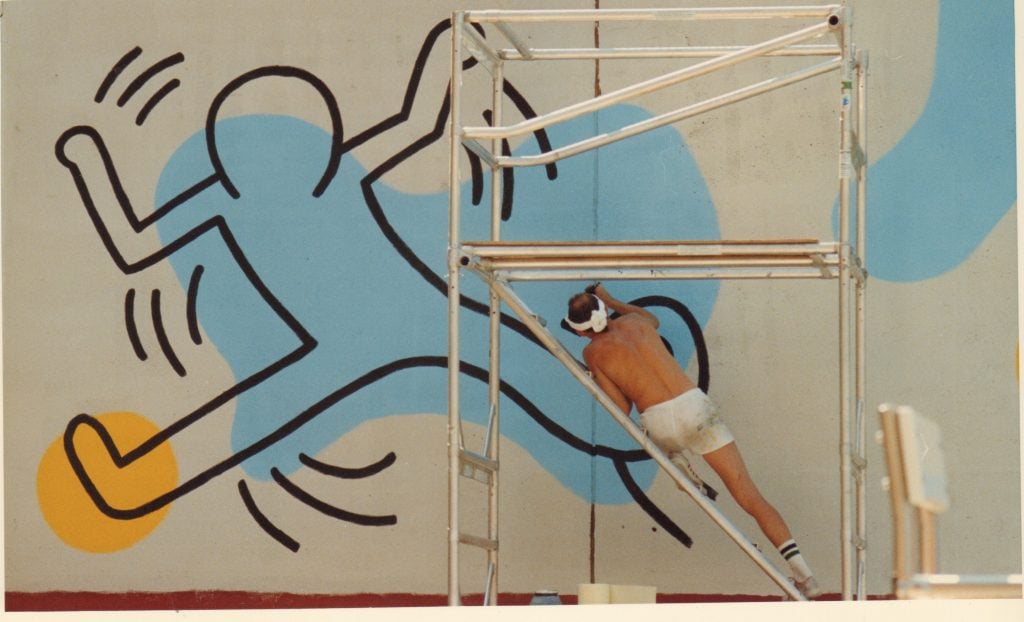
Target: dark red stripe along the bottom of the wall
{"x": 185, "y": 601}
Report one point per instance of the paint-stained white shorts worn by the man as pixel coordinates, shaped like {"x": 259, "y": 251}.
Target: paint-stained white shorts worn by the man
{"x": 689, "y": 422}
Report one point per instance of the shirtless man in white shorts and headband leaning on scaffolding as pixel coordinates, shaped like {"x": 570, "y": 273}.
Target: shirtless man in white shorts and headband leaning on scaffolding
{"x": 629, "y": 361}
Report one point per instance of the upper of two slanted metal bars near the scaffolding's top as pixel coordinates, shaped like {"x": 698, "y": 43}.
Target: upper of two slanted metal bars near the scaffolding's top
{"x": 647, "y": 87}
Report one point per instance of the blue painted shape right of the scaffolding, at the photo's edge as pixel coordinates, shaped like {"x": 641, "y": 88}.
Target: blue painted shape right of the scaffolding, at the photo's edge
{"x": 936, "y": 196}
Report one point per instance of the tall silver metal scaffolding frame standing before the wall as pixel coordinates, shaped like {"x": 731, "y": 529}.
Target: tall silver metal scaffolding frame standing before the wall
{"x": 499, "y": 263}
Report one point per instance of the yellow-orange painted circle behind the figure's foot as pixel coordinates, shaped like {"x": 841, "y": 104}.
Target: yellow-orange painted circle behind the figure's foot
{"x": 69, "y": 510}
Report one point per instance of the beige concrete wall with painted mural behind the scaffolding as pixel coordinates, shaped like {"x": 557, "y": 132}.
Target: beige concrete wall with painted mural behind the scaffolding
{"x": 243, "y": 343}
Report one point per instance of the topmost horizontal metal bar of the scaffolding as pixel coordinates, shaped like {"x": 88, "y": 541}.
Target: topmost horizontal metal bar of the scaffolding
{"x": 759, "y": 13}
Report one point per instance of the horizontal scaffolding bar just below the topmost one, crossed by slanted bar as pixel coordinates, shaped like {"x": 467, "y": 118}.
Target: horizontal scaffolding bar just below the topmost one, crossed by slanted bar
{"x": 694, "y": 52}
